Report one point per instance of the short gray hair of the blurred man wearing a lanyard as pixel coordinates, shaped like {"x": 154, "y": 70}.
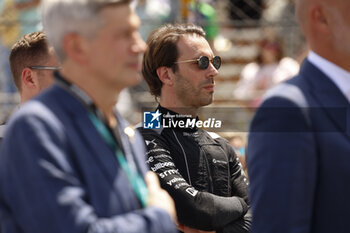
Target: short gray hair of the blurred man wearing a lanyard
{"x": 61, "y": 17}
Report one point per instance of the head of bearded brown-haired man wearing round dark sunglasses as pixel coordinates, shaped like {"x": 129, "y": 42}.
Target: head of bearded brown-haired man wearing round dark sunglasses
{"x": 179, "y": 66}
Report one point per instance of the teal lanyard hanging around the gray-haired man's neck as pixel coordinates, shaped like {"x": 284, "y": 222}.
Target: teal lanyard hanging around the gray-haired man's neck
{"x": 136, "y": 181}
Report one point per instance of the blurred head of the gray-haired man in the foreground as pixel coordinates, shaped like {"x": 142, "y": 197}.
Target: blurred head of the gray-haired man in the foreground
{"x": 96, "y": 38}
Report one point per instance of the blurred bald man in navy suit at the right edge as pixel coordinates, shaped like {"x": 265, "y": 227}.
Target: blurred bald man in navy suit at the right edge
{"x": 299, "y": 143}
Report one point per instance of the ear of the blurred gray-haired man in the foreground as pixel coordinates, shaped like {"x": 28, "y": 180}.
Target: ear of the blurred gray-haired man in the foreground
{"x": 74, "y": 47}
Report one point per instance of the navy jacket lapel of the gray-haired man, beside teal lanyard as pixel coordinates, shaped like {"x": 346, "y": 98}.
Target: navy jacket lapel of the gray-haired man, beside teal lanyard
{"x": 97, "y": 149}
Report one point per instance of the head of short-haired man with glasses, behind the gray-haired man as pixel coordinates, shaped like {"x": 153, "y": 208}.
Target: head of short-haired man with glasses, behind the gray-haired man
{"x": 32, "y": 62}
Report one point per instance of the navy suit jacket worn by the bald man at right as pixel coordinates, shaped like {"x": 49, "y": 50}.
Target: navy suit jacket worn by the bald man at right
{"x": 299, "y": 158}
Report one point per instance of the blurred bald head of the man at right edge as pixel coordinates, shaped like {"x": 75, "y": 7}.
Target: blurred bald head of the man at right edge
{"x": 326, "y": 25}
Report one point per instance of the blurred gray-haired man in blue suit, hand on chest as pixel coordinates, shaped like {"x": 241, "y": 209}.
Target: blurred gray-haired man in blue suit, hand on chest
{"x": 69, "y": 162}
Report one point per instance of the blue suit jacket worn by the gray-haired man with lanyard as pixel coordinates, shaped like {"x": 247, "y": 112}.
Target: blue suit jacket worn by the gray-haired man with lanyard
{"x": 57, "y": 174}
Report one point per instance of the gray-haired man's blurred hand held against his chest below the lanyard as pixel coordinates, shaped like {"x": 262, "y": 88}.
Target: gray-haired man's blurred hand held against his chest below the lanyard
{"x": 159, "y": 197}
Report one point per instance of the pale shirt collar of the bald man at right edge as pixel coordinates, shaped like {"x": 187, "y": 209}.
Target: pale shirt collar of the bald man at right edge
{"x": 338, "y": 75}
